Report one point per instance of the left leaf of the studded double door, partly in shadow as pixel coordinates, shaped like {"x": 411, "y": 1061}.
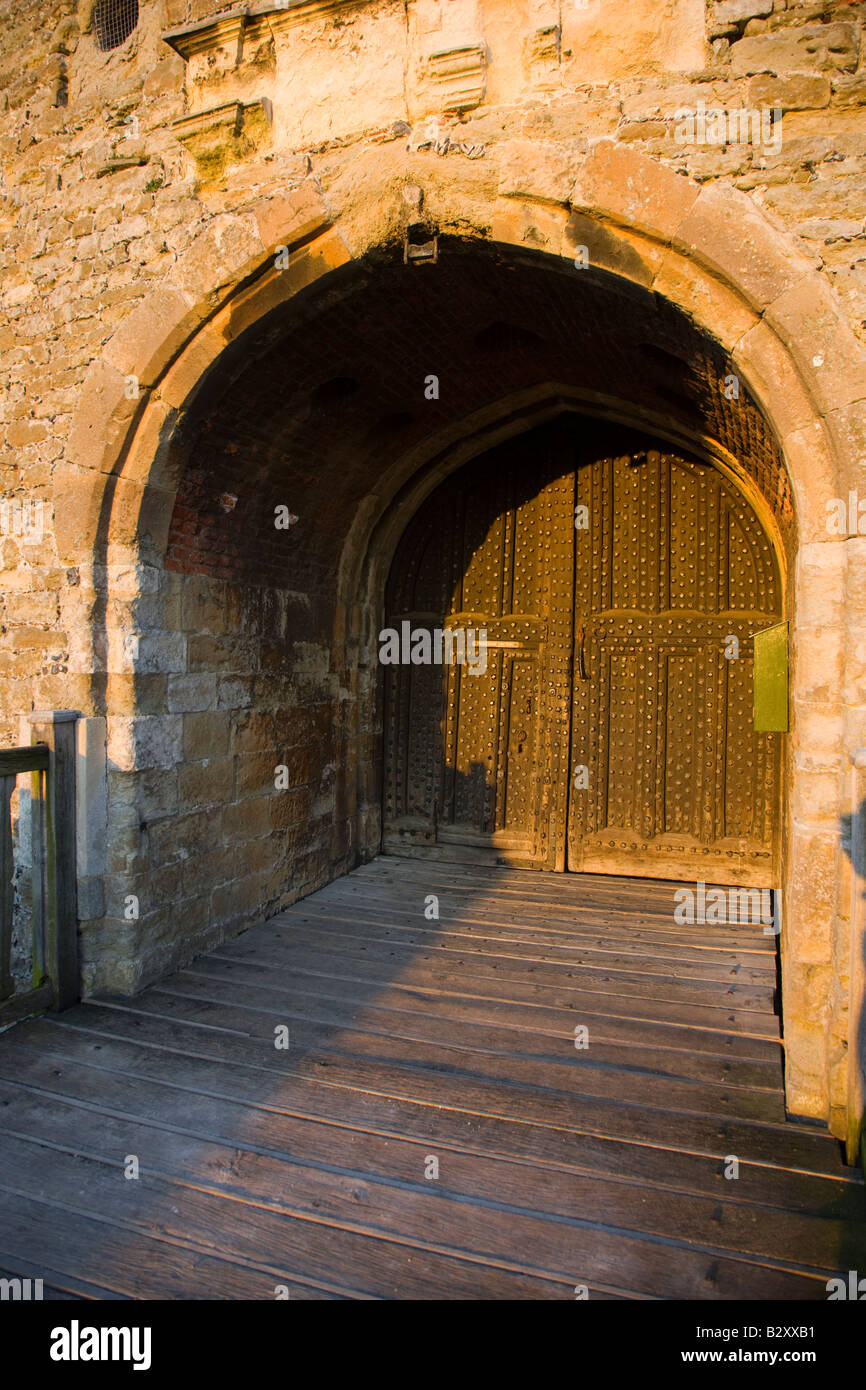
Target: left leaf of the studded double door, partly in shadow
{"x": 476, "y": 760}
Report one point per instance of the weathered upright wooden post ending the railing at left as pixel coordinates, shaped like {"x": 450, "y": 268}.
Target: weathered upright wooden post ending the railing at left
{"x": 56, "y": 888}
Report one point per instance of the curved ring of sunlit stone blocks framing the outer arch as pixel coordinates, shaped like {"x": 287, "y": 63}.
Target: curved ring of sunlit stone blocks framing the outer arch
{"x": 710, "y": 251}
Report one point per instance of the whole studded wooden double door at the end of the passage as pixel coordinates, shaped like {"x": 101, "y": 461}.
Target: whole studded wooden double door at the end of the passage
{"x": 612, "y": 730}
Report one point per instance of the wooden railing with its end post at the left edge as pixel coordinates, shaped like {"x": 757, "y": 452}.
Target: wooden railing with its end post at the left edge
{"x": 51, "y": 760}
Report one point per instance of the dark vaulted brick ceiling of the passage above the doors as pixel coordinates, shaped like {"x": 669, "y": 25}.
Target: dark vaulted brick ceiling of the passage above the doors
{"x": 312, "y": 408}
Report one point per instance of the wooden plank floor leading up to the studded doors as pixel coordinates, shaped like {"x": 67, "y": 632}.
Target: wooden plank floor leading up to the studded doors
{"x": 420, "y": 1046}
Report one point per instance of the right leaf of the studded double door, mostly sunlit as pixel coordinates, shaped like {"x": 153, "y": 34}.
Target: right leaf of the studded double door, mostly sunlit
{"x": 673, "y": 578}
